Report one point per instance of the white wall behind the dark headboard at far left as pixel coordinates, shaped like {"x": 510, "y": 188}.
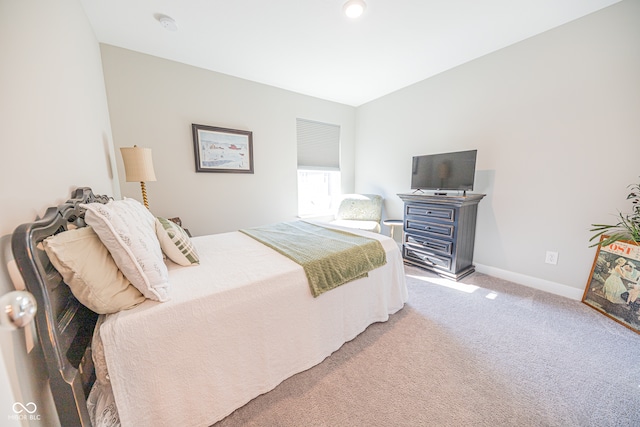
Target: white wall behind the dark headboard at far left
{"x": 55, "y": 135}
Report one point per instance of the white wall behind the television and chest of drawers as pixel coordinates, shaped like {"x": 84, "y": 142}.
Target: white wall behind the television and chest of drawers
{"x": 556, "y": 121}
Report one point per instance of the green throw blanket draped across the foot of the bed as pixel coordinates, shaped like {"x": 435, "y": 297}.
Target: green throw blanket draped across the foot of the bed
{"x": 330, "y": 258}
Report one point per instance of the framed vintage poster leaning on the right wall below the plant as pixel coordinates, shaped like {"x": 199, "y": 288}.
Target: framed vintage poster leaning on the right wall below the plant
{"x": 613, "y": 288}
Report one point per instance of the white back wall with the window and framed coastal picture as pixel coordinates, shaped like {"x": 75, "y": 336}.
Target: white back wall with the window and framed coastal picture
{"x": 153, "y": 103}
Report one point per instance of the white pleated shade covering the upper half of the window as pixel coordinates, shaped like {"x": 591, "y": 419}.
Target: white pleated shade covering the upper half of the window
{"x": 318, "y": 145}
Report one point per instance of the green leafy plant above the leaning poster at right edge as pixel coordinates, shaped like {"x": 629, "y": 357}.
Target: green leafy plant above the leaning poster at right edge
{"x": 627, "y": 228}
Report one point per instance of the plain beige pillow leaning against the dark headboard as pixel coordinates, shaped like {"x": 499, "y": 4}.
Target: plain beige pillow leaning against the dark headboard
{"x": 89, "y": 270}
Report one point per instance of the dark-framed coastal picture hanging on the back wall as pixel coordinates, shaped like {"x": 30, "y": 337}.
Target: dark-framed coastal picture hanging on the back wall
{"x": 224, "y": 150}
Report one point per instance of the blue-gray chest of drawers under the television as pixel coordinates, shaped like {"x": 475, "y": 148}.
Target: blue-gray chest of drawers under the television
{"x": 439, "y": 232}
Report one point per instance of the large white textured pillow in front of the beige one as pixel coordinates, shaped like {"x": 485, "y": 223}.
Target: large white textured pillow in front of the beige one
{"x": 128, "y": 231}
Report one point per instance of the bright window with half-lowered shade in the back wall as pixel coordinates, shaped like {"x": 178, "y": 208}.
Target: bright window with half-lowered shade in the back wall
{"x": 318, "y": 167}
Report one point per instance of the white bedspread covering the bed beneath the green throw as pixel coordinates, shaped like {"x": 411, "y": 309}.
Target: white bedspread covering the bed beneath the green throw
{"x": 236, "y": 326}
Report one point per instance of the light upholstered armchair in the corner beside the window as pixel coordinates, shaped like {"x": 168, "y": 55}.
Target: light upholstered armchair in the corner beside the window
{"x": 362, "y": 211}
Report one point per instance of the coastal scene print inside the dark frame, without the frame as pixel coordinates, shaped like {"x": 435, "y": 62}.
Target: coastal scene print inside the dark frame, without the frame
{"x": 220, "y": 150}
